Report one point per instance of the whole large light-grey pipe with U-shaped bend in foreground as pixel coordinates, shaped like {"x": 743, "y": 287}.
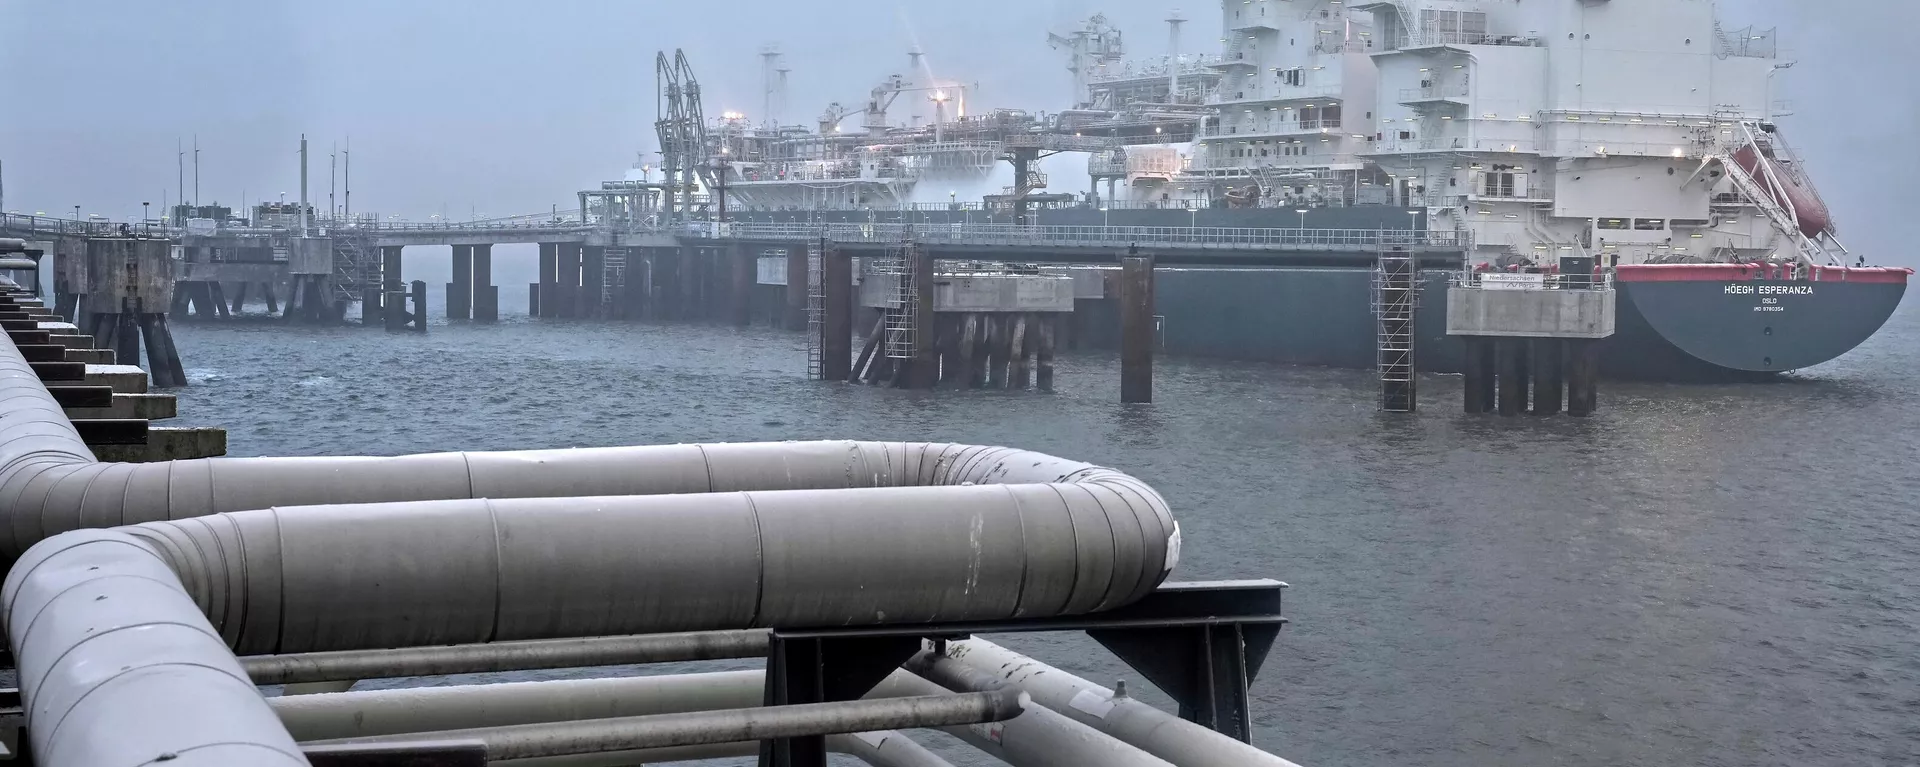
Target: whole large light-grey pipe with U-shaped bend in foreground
{"x": 122, "y": 666}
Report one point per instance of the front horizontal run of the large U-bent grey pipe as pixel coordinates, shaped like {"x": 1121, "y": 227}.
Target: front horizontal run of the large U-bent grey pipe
{"x": 466, "y": 572}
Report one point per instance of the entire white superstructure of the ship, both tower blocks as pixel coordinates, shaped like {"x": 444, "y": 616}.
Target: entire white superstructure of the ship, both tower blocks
{"x": 1637, "y": 132}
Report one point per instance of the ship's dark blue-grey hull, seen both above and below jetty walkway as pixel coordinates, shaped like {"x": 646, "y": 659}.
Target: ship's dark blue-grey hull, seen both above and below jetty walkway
{"x": 1675, "y": 324}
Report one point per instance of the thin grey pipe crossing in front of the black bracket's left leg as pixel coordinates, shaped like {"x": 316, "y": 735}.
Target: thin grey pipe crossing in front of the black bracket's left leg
{"x": 731, "y": 726}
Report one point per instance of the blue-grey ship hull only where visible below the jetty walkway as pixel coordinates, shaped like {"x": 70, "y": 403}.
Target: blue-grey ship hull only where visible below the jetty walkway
{"x": 1700, "y": 332}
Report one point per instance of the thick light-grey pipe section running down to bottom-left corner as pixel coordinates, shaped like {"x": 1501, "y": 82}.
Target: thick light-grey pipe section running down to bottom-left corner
{"x": 118, "y": 668}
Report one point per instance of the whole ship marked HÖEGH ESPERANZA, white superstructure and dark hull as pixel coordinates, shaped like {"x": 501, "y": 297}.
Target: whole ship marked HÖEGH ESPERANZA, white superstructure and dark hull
{"x": 1633, "y": 136}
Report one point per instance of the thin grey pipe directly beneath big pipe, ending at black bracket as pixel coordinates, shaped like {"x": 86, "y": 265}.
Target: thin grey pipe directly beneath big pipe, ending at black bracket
{"x": 504, "y": 656}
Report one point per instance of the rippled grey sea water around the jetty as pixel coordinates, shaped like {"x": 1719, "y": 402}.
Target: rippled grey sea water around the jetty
{"x": 1700, "y": 576}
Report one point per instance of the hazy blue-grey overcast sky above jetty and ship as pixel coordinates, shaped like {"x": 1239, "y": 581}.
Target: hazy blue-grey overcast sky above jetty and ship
{"x": 508, "y": 107}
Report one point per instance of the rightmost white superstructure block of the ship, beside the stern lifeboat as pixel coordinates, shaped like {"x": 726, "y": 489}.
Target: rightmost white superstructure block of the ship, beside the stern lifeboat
{"x": 1600, "y": 128}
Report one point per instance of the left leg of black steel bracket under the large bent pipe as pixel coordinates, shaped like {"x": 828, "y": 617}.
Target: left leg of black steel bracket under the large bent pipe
{"x": 819, "y": 670}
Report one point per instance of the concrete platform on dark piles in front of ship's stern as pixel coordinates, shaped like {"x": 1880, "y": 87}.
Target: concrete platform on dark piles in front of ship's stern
{"x": 1533, "y": 337}
